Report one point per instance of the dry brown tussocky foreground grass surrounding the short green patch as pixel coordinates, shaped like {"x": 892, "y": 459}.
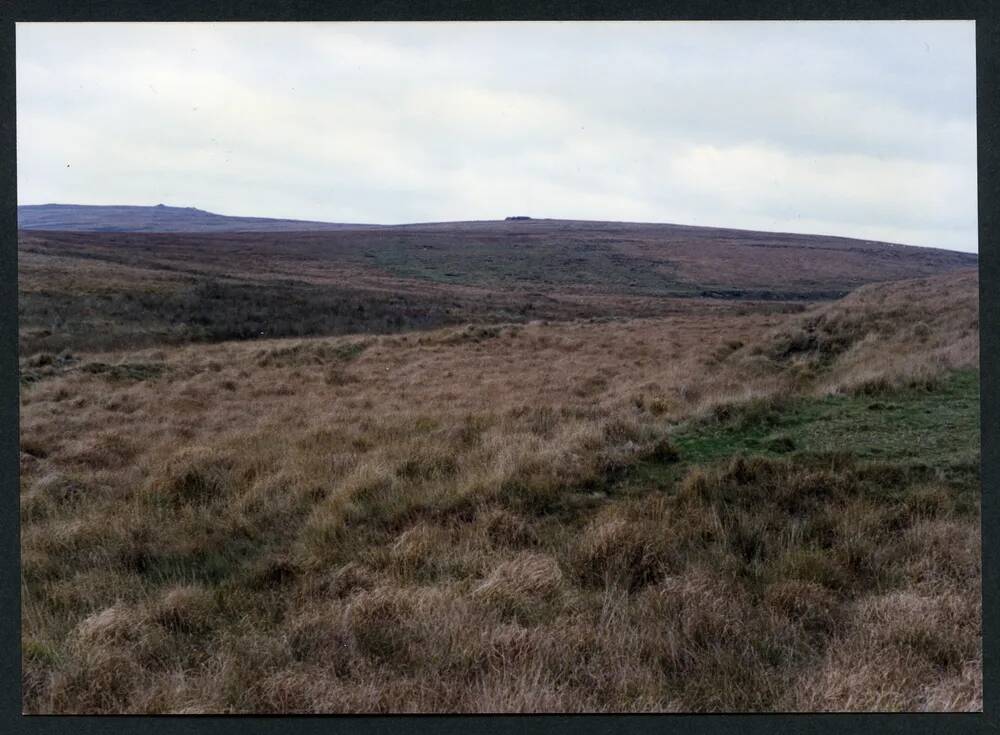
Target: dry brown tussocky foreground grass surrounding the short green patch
{"x": 234, "y": 531}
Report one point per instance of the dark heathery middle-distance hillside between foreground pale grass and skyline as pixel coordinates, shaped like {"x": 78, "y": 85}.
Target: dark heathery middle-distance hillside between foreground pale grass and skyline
{"x": 99, "y": 289}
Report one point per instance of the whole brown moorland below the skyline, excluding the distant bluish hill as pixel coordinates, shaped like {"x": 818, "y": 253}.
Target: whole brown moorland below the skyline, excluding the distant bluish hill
{"x": 531, "y": 465}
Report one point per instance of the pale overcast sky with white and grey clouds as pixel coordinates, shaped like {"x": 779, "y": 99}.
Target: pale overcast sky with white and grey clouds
{"x": 861, "y": 129}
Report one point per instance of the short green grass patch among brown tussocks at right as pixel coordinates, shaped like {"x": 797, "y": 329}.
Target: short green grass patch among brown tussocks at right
{"x": 933, "y": 434}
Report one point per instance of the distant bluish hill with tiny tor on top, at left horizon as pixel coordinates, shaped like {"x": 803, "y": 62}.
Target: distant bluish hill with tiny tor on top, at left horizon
{"x": 161, "y": 218}
